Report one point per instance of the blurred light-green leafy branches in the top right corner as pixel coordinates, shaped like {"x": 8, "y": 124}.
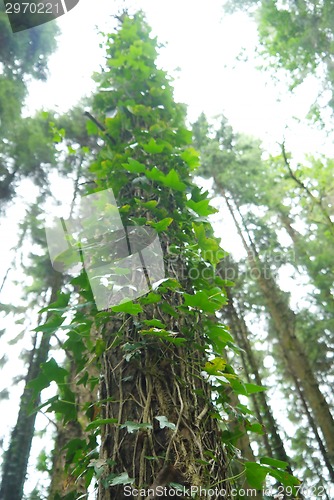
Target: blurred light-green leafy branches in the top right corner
{"x": 296, "y": 36}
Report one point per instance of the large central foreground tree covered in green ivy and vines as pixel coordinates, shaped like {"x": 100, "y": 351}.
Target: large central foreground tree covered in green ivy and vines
{"x": 162, "y": 425}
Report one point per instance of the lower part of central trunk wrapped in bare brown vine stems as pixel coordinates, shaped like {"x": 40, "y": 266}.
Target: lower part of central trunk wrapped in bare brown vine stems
{"x": 164, "y": 381}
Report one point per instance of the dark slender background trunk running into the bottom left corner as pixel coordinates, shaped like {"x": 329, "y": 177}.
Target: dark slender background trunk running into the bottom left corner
{"x": 17, "y": 456}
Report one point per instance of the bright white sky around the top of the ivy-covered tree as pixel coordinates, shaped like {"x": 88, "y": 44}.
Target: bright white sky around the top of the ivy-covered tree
{"x": 204, "y": 43}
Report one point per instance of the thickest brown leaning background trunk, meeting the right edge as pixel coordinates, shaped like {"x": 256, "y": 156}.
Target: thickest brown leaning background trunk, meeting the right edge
{"x": 284, "y": 320}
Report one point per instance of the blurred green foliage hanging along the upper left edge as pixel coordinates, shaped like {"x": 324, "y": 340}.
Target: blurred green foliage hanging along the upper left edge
{"x": 24, "y": 145}
